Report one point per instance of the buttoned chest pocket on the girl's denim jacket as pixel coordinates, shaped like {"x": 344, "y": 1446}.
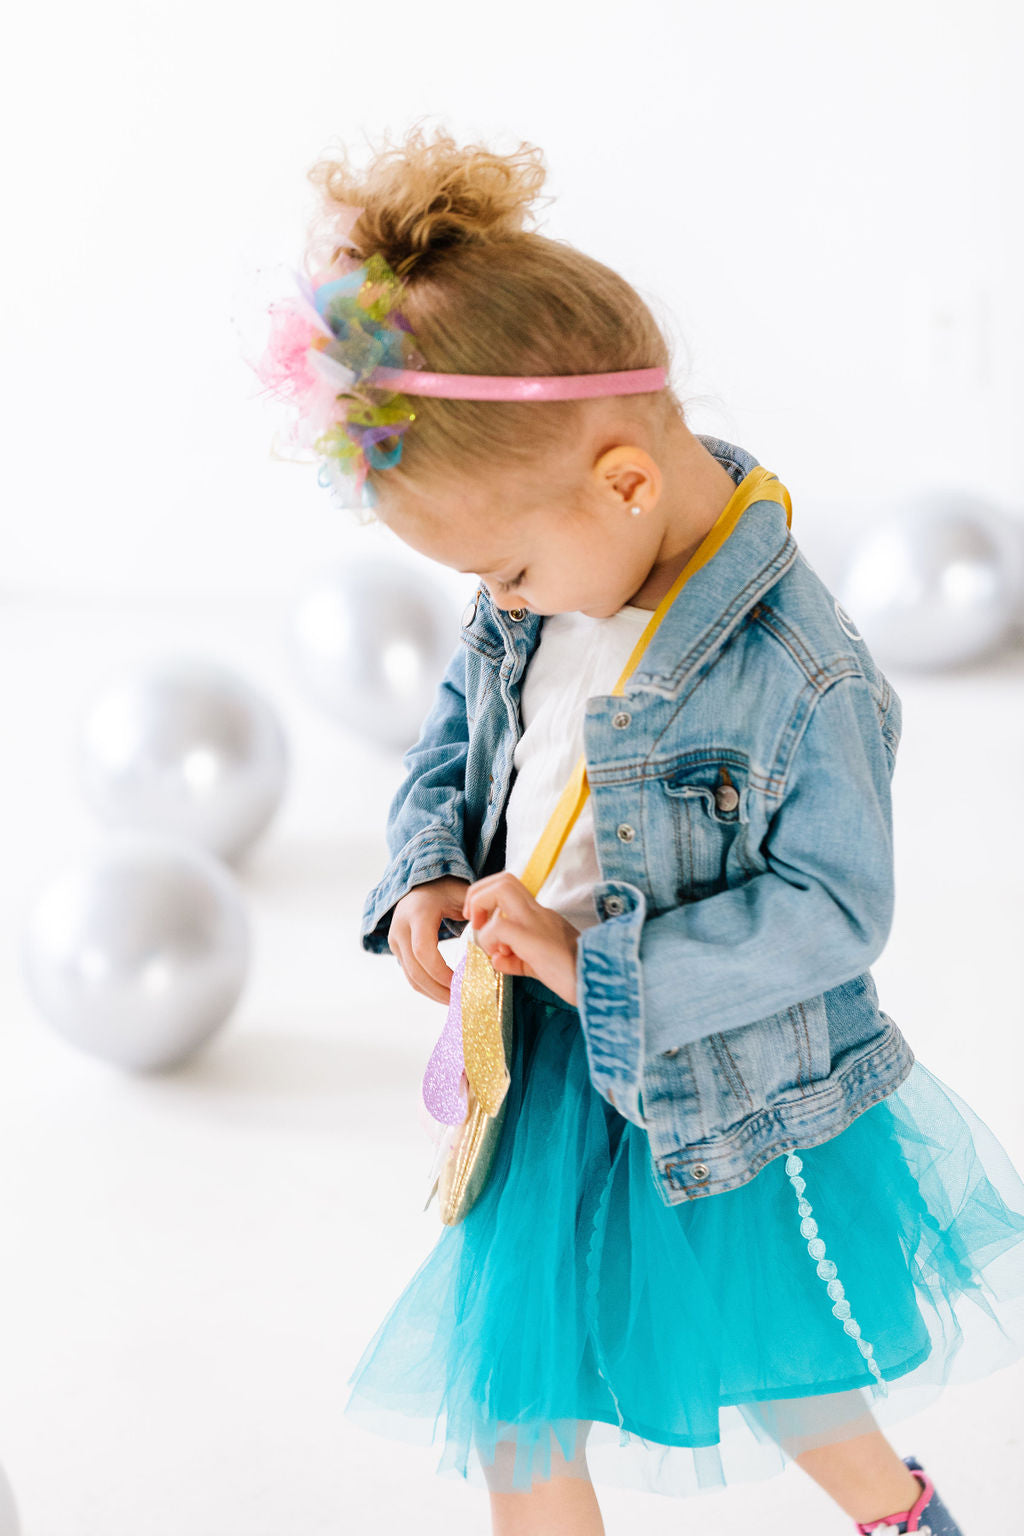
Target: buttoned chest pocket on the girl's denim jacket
{"x": 709, "y": 823}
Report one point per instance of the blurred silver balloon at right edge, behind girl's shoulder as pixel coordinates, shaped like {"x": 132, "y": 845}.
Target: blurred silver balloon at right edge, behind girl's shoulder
{"x": 934, "y": 586}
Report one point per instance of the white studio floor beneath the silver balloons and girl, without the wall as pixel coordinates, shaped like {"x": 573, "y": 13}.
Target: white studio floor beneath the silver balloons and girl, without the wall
{"x": 191, "y": 1265}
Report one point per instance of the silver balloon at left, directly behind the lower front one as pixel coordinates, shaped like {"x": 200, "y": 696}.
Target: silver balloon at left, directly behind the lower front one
{"x": 185, "y": 747}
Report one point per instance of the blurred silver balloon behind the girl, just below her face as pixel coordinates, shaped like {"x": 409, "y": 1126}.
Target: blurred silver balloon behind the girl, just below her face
{"x": 369, "y": 641}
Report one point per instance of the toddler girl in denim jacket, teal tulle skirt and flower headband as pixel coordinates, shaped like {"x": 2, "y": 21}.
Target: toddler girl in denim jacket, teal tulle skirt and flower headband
{"x": 732, "y": 1219}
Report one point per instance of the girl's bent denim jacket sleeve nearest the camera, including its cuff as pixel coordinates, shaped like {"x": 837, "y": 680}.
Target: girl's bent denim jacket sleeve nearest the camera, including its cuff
{"x": 819, "y": 916}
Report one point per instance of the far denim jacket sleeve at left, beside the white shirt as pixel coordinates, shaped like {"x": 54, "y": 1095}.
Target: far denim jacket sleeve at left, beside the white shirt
{"x": 426, "y": 818}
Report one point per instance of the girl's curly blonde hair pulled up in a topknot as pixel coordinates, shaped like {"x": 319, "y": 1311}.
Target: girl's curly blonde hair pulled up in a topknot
{"x": 484, "y": 296}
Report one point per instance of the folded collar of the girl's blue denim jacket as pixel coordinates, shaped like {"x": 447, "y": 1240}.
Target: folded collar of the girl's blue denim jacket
{"x": 704, "y": 615}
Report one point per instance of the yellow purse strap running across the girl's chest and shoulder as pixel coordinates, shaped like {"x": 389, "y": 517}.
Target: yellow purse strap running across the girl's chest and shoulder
{"x": 761, "y": 485}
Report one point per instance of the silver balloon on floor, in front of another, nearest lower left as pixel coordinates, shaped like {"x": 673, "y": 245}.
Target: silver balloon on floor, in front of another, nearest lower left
{"x": 139, "y": 952}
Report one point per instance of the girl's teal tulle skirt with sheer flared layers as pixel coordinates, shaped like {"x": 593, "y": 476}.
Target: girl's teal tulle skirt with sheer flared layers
{"x": 573, "y": 1325}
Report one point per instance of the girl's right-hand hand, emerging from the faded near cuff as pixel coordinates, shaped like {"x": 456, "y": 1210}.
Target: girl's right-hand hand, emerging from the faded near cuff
{"x": 521, "y": 936}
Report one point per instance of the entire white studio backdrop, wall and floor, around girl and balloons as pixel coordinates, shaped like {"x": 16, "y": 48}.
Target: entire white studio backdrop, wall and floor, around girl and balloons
{"x": 824, "y": 208}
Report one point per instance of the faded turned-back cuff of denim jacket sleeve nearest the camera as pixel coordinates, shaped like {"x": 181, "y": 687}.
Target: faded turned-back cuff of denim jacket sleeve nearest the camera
{"x": 610, "y": 999}
